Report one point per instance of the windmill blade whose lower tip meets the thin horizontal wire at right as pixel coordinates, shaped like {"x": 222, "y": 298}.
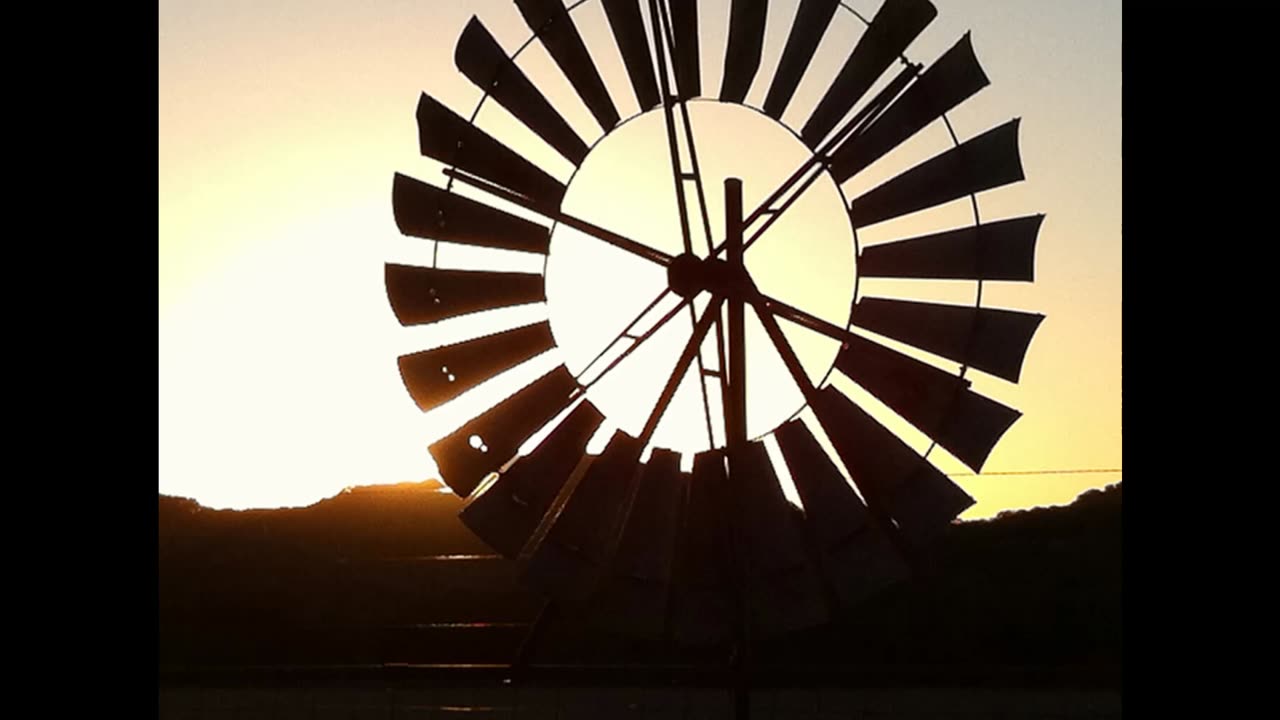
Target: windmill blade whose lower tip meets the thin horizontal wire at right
{"x": 940, "y": 404}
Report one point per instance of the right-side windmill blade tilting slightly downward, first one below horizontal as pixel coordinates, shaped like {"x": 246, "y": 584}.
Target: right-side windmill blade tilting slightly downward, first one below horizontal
{"x": 988, "y": 339}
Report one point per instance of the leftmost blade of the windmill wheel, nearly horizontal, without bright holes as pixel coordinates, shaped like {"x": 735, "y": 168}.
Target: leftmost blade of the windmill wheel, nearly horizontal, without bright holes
{"x": 427, "y": 295}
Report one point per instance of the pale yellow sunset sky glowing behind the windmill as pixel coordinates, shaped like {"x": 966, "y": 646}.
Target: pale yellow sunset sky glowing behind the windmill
{"x": 284, "y": 122}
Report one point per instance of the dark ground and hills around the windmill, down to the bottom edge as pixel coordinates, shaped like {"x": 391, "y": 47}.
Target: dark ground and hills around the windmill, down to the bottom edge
{"x": 346, "y": 609}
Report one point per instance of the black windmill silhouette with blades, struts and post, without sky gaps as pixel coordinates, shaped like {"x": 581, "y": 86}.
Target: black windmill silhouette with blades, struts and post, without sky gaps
{"x": 719, "y": 554}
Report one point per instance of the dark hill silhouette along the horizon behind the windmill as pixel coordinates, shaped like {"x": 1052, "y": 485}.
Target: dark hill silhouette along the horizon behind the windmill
{"x": 390, "y": 575}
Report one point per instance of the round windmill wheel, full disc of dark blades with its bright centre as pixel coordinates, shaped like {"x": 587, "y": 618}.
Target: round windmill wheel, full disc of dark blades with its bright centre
{"x": 680, "y": 532}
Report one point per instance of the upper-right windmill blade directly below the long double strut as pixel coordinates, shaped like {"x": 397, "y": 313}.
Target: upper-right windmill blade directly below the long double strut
{"x": 956, "y": 78}
